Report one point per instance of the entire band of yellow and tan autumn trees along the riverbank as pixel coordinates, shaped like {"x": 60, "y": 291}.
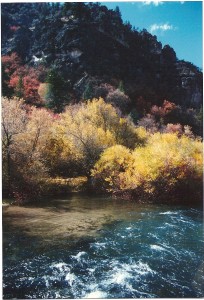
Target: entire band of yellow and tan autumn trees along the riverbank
{"x": 91, "y": 140}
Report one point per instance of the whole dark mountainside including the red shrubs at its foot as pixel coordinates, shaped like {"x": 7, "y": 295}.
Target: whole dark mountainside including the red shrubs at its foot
{"x": 50, "y": 58}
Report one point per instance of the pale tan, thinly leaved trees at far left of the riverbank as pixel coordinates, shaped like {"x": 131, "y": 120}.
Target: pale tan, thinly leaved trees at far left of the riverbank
{"x": 24, "y": 135}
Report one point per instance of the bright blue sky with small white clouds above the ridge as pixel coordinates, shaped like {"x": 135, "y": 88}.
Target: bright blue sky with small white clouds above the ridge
{"x": 176, "y": 23}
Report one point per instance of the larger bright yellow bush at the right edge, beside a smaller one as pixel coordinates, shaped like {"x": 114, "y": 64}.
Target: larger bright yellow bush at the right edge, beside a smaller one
{"x": 168, "y": 164}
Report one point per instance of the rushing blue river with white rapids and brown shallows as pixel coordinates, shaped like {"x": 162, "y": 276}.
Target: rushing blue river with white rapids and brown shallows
{"x": 97, "y": 247}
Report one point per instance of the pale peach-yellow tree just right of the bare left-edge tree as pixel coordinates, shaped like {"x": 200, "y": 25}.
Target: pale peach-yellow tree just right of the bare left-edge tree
{"x": 30, "y": 148}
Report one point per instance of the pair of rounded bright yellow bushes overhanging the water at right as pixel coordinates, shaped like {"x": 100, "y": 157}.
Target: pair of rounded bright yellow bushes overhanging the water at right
{"x": 167, "y": 167}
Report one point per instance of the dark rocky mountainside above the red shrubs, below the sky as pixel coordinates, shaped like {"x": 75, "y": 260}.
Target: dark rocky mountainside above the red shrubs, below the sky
{"x": 89, "y": 43}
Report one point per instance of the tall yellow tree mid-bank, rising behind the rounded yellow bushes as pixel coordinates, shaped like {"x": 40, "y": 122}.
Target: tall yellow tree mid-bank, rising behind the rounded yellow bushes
{"x": 94, "y": 126}
